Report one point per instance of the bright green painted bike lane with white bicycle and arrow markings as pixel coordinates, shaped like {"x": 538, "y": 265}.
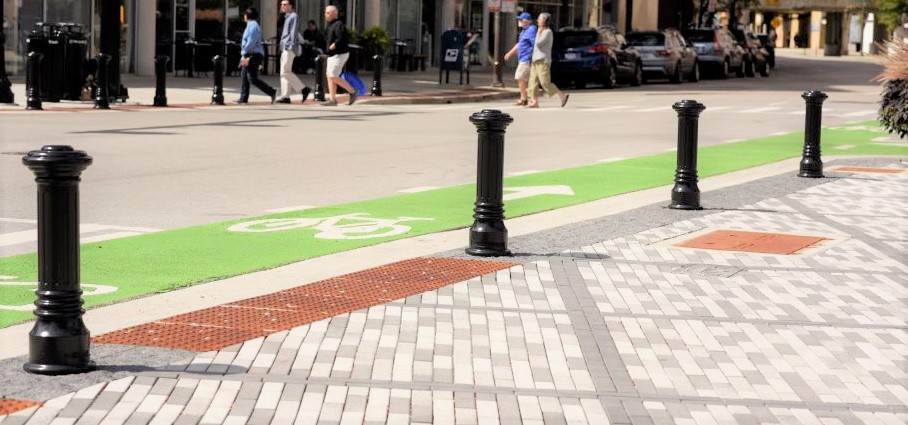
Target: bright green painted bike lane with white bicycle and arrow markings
{"x": 158, "y": 262}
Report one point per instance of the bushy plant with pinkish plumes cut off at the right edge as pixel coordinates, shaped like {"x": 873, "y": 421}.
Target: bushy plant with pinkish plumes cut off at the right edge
{"x": 894, "y": 103}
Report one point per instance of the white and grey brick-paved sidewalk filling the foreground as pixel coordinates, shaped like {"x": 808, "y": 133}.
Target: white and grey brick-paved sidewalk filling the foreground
{"x": 602, "y": 319}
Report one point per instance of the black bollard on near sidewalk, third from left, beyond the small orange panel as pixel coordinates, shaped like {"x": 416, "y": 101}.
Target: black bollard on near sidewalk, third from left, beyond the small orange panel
{"x": 686, "y": 194}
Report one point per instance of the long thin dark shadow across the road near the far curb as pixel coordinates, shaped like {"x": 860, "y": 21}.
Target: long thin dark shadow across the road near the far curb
{"x": 248, "y": 123}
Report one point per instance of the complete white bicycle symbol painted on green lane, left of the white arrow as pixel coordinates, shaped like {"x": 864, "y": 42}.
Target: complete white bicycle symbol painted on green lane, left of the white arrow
{"x": 347, "y": 226}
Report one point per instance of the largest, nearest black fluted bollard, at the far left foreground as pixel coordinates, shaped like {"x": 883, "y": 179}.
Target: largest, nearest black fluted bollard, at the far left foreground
{"x": 59, "y": 341}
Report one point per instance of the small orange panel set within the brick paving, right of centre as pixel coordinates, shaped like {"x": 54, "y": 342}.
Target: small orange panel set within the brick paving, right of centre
{"x": 766, "y": 243}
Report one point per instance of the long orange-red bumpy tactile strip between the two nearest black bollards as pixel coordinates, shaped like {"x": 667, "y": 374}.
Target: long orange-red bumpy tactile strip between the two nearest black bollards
{"x": 222, "y": 326}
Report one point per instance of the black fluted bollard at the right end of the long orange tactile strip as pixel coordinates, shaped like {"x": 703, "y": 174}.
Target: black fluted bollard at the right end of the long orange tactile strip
{"x": 488, "y": 235}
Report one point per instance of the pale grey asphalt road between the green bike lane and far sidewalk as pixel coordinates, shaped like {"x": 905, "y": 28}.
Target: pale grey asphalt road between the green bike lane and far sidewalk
{"x": 173, "y": 168}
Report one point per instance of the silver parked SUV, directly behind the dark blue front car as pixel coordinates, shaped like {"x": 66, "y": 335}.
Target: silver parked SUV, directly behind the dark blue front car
{"x": 665, "y": 54}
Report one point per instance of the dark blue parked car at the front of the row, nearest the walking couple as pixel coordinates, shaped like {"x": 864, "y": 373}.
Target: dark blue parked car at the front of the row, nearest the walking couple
{"x": 599, "y": 55}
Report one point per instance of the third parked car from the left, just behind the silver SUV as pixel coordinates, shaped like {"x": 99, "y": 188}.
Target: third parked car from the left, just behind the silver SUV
{"x": 717, "y": 50}
